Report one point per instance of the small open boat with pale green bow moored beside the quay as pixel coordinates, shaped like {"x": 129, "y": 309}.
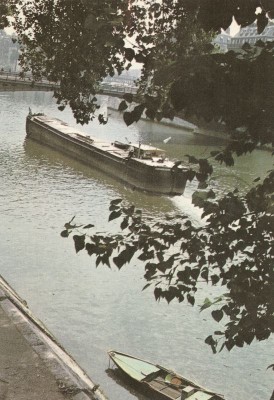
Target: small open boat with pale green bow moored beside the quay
{"x": 164, "y": 382}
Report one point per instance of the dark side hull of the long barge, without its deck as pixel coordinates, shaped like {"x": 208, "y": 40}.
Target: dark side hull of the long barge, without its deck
{"x": 155, "y": 178}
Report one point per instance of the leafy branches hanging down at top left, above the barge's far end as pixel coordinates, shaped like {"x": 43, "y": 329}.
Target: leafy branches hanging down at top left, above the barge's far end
{"x": 74, "y": 43}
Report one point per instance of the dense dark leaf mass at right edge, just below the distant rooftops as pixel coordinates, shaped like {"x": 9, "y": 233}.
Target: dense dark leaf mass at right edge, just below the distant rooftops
{"x": 236, "y": 89}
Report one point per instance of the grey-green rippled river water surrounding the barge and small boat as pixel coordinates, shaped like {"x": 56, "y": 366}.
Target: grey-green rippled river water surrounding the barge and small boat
{"x": 91, "y": 310}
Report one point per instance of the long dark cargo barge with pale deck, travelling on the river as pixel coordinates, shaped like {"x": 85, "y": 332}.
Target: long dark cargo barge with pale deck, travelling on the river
{"x": 141, "y": 166}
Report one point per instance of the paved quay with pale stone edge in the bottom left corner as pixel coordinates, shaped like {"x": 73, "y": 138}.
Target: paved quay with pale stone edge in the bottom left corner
{"x": 33, "y": 365}
